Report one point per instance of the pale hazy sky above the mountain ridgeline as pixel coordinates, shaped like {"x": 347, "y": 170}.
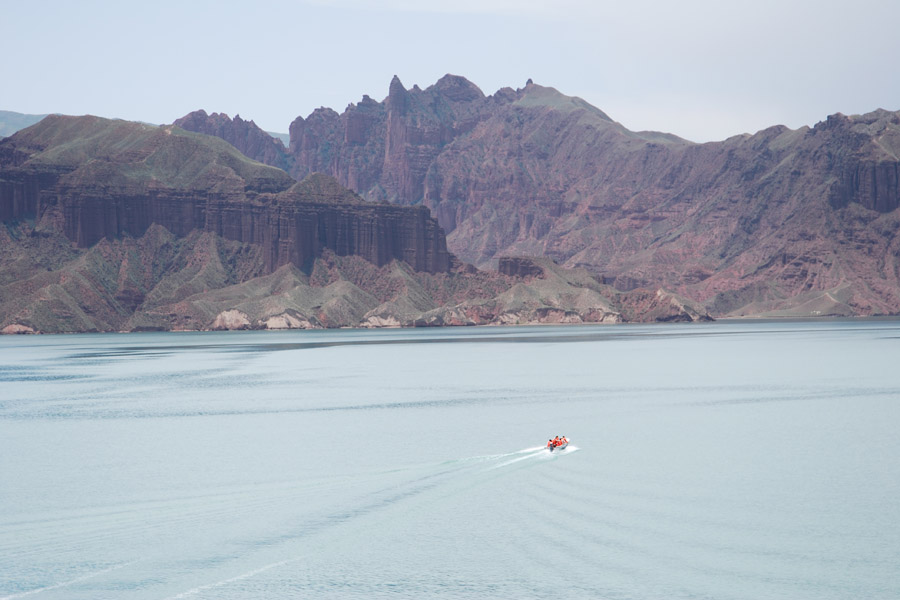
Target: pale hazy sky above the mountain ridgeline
{"x": 704, "y": 70}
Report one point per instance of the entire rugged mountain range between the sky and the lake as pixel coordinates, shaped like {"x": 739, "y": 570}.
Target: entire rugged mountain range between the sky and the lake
{"x": 779, "y": 223}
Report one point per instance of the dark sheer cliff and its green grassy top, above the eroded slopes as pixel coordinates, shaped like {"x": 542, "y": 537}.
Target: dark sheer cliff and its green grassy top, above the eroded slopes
{"x": 99, "y": 179}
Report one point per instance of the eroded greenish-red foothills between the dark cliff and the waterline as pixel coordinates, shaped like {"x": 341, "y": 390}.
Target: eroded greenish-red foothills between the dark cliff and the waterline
{"x": 162, "y": 282}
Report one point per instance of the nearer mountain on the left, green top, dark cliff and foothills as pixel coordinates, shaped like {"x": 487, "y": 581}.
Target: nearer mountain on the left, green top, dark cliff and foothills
{"x": 111, "y": 225}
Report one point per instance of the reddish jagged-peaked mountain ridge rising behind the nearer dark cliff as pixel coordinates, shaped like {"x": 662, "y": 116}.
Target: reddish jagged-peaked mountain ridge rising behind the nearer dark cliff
{"x": 781, "y": 223}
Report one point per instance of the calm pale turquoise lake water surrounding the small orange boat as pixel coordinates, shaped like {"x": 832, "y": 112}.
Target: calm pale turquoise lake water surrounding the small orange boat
{"x": 728, "y": 460}
